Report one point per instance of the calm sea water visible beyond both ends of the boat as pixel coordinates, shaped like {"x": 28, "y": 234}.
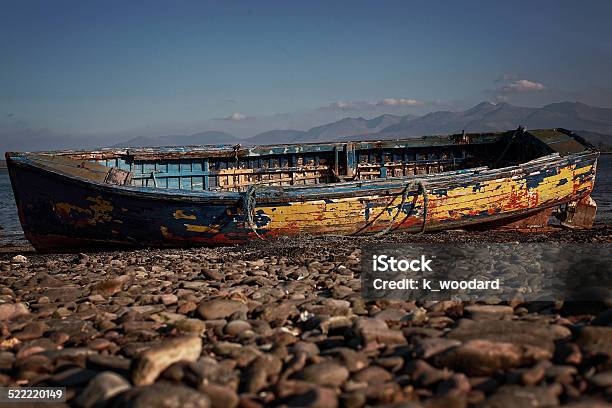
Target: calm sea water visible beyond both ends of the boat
{"x": 11, "y": 232}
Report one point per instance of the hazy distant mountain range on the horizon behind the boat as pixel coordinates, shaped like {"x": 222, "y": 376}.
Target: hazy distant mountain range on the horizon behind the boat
{"x": 595, "y": 122}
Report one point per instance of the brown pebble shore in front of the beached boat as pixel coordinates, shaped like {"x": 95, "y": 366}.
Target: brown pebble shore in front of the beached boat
{"x": 282, "y": 323}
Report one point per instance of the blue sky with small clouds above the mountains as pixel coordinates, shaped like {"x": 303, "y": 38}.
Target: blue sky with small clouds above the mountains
{"x": 90, "y": 67}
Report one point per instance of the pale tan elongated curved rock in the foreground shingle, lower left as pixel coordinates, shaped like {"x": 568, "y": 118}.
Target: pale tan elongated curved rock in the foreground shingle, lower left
{"x": 155, "y": 360}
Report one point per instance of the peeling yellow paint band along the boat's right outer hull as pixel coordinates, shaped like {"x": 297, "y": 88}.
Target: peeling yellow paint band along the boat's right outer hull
{"x": 500, "y": 196}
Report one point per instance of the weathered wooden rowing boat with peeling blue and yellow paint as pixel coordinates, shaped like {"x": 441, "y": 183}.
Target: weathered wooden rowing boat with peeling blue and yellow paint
{"x": 230, "y": 194}
